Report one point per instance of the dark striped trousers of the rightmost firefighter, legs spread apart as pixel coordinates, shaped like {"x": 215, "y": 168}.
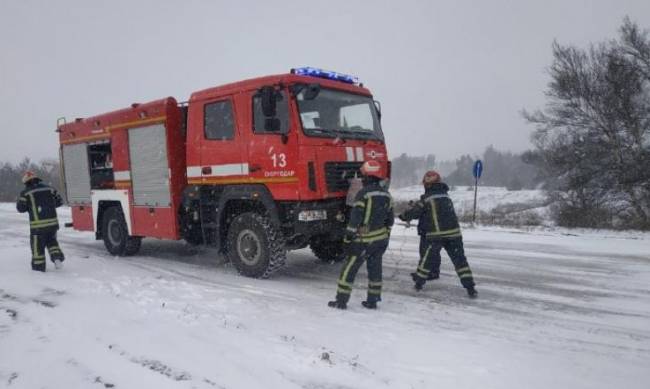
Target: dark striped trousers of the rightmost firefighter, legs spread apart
{"x": 429, "y": 266}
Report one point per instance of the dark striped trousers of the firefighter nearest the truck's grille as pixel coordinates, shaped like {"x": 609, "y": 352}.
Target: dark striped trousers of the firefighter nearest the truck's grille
{"x": 357, "y": 253}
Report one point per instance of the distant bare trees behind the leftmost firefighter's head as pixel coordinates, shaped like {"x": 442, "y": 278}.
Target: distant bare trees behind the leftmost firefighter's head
{"x": 11, "y": 176}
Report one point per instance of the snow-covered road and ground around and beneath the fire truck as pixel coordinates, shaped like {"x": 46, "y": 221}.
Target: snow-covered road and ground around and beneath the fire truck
{"x": 557, "y": 309}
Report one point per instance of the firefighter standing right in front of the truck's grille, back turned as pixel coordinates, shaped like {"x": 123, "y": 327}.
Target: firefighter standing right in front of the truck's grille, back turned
{"x": 366, "y": 237}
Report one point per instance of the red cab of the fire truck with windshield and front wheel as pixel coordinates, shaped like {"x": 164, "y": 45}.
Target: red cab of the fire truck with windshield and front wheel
{"x": 281, "y": 147}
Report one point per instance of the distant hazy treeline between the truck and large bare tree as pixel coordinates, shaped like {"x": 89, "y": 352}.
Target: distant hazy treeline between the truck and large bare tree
{"x": 500, "y": 168}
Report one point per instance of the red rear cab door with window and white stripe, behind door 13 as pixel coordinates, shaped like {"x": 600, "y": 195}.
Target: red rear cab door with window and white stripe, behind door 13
{"x": 220, "y": 150}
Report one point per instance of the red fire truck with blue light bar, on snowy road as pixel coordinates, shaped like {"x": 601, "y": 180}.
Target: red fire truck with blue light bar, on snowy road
{"x": 254, "y": 168}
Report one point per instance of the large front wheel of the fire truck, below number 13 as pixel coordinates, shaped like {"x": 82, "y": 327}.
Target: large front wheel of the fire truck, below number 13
{"x": 254, "y": 246}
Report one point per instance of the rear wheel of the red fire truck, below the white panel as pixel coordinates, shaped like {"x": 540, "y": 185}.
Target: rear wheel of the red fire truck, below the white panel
{"x": 116, "y": 234}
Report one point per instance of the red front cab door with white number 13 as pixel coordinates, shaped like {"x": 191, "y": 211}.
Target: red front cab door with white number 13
{"x": 272, "y": 147}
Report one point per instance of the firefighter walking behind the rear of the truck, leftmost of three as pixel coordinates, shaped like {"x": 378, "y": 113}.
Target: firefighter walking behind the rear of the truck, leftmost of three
{"x": 41, "y": 201}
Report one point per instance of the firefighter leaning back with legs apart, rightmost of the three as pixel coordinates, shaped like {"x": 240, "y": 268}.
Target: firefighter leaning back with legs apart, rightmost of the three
{"x": 438, "y": 228}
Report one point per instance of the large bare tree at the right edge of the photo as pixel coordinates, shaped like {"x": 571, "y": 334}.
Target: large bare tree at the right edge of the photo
{"x": 591, "y": 136}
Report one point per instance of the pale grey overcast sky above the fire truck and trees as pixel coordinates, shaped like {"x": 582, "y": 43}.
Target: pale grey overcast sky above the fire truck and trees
{"x": 452, "y": 76}
